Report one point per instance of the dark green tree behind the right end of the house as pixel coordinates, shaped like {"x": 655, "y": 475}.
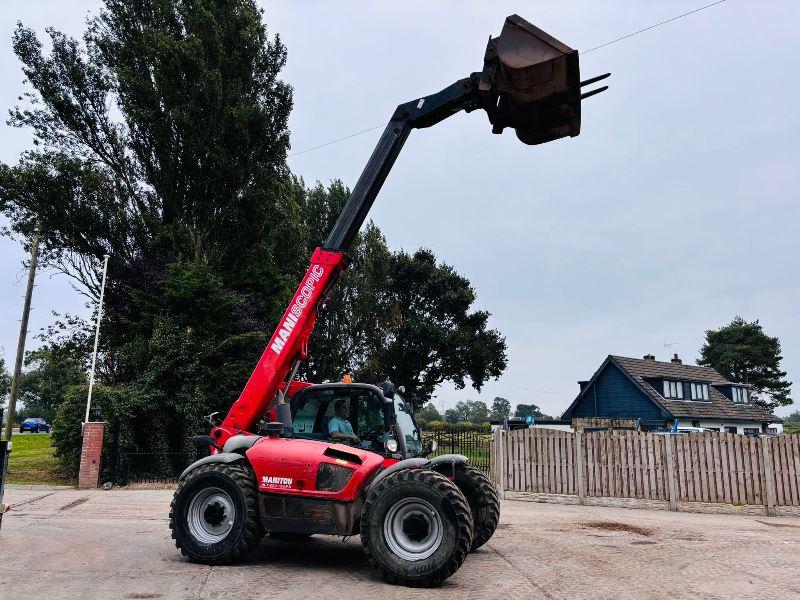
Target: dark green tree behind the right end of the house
{"x": 743, "y": 353}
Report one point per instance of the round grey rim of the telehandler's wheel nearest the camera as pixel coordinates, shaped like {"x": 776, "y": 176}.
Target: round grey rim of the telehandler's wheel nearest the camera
{"x": 413, "y": 529}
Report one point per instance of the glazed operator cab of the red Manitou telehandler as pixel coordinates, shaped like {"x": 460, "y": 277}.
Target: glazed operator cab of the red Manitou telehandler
{"x": 383, "y": 425}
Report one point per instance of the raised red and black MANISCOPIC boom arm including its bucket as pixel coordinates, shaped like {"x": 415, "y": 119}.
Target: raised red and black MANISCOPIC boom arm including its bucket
{"x": 530, "y": 82}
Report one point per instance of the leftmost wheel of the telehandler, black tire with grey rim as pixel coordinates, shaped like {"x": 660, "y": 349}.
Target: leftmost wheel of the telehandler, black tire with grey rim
{"x": 214, "y": 514}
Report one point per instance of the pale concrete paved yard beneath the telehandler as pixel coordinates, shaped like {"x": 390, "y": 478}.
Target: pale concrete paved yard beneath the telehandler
{"x": 75, "y": 544}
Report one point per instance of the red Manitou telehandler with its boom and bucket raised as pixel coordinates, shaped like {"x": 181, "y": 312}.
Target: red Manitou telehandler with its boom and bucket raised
{"x": 294, "y": 459}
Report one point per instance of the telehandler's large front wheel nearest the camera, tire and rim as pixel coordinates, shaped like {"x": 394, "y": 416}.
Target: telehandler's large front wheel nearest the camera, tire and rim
{"x": 416, "y": 528}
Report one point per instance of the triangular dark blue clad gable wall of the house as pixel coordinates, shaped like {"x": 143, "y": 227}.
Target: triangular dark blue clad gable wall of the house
{"x": 613, "y": 395}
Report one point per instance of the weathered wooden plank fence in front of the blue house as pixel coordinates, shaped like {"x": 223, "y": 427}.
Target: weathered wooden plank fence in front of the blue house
{"x": 712, "y": 467}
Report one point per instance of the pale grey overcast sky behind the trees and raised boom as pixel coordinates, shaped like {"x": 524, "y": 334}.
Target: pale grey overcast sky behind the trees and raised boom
{"x": 674, "y": 210}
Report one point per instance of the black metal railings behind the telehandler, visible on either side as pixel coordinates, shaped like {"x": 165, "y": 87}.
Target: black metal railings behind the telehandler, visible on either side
{"x": 123, "y": 468}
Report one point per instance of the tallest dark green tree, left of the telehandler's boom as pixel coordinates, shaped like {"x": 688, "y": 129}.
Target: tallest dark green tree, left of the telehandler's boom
{"x": 160, "y": 138}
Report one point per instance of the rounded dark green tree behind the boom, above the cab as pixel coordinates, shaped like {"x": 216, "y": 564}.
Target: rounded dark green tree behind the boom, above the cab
{"x": 398, "y": 315}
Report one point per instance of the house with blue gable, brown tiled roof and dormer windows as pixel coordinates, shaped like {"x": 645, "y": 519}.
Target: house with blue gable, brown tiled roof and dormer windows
{"x": 658, "y": 393}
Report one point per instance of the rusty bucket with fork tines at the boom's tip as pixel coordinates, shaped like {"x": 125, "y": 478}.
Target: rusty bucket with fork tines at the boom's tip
{"x": 531, "y": 83}
